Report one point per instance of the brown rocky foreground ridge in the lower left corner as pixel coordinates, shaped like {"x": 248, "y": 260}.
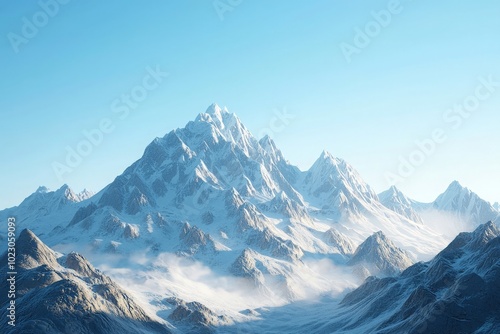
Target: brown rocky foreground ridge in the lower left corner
{"x": 68, "y": 295}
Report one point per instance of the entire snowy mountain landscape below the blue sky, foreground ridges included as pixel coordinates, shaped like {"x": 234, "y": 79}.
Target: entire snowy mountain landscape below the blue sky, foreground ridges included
{"x": 213, "y": 230}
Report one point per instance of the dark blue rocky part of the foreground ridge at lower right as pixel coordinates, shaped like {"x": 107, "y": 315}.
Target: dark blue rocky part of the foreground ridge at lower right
{"x": 457, "y": 292}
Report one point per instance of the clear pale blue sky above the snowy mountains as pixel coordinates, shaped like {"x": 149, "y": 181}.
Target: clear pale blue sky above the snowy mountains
{"x": 263, "y": 55}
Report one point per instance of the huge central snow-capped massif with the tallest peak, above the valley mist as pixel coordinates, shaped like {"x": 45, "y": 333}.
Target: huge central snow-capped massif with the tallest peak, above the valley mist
{"x": 210, "y": 191}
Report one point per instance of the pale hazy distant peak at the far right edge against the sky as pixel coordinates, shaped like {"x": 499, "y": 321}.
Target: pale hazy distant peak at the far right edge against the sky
{"x": 465, "y": 204}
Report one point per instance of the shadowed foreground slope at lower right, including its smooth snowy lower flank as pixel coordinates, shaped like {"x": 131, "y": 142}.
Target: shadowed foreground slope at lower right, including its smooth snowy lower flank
{"x": 456, "y": 292}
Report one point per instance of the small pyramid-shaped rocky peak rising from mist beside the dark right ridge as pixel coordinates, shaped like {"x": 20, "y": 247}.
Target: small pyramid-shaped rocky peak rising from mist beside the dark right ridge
{"x": 378, "y": 256}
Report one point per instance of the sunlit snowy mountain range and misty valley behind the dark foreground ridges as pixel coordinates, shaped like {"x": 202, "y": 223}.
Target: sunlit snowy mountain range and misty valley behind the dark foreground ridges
{"x": 213, "y": 196}
